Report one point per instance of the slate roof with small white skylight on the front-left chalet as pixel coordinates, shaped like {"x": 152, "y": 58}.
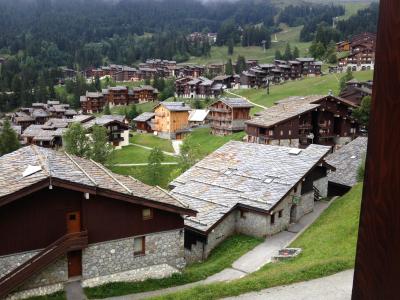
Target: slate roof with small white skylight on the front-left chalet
{"x": 75, "y": 170}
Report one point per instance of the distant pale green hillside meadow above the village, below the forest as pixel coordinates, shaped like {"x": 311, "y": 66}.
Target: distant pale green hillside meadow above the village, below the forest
{"x": 288, "y": 34}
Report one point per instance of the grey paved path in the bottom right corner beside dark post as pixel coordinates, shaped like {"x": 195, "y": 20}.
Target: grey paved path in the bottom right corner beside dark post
{"x": 334, "y": 287}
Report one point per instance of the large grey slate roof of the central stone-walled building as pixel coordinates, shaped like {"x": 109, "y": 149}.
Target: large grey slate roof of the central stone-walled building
{"x": 255, "y": 175}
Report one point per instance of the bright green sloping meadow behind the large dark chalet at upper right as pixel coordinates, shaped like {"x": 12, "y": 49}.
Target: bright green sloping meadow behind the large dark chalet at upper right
{"x": 308, "y": 86}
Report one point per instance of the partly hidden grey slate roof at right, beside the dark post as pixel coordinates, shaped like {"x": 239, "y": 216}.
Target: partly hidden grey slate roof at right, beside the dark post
{"x": 346, "y": 160}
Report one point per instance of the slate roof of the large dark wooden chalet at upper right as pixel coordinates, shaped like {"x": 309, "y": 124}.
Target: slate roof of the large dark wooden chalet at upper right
{"x": 286, "y": 109}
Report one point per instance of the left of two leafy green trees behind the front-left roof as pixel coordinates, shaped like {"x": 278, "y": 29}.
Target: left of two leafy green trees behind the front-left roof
{"x": 75, "y": 141}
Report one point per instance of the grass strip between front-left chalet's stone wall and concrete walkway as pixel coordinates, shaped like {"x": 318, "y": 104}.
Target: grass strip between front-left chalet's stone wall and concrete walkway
{"x": 220, "y": 258}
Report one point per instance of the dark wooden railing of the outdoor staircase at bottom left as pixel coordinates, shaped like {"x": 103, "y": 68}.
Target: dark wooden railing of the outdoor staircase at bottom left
{"x": 68, "y": 242}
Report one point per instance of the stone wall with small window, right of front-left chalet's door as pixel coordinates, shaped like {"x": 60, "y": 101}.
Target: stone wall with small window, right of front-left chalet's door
{"x": 117, "y": 256}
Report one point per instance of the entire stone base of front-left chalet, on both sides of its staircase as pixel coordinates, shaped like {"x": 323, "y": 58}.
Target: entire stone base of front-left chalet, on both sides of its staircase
{"x": 105, "y": 262}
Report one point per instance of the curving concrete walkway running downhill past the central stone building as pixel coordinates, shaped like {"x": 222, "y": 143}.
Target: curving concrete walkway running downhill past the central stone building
{"x": 251, "y": 261}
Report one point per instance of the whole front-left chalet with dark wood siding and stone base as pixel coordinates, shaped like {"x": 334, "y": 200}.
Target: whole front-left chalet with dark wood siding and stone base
{"x": 63, "y": 216}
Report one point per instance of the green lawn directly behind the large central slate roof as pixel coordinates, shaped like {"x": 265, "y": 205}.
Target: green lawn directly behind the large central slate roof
{"x": 209, "y": 143}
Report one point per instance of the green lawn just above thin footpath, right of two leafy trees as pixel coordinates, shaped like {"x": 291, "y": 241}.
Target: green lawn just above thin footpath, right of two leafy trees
{"x": 133, "y": 155}
